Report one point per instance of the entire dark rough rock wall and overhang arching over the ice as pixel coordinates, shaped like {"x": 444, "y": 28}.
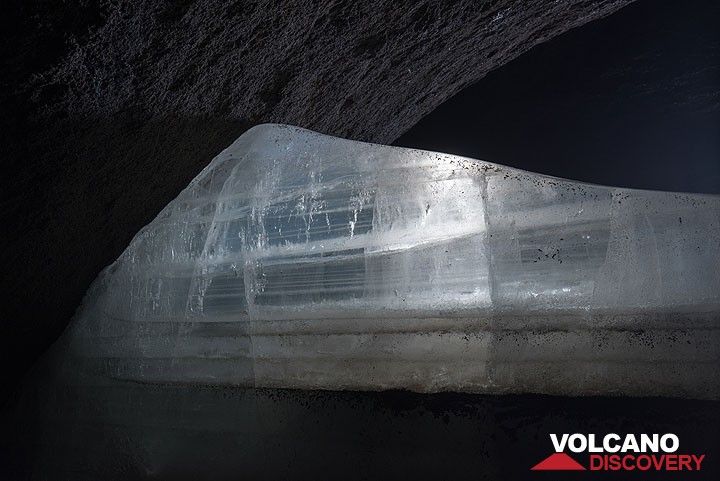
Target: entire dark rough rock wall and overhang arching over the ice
{"x": 112, "y": 107}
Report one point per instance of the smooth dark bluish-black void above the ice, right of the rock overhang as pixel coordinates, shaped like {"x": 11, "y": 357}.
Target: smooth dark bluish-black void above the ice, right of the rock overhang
{"x": 631, "y": 100}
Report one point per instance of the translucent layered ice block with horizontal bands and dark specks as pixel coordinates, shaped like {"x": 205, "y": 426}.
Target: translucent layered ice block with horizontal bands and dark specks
{"x": 300, "y": 260}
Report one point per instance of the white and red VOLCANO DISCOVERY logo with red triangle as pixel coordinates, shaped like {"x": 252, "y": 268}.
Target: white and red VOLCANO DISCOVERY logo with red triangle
{"x": 613, "y": 452}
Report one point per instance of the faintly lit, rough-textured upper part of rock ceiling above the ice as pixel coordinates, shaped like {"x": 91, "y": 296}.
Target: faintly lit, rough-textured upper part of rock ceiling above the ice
{"x": 367, "y": 70}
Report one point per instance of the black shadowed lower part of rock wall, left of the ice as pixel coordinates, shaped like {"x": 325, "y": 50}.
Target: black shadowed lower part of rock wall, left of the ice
{"x": 87, "y": 184}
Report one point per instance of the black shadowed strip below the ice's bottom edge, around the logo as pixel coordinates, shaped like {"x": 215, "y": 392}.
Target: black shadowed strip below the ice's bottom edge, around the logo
{"x": 132, "y": 431}
